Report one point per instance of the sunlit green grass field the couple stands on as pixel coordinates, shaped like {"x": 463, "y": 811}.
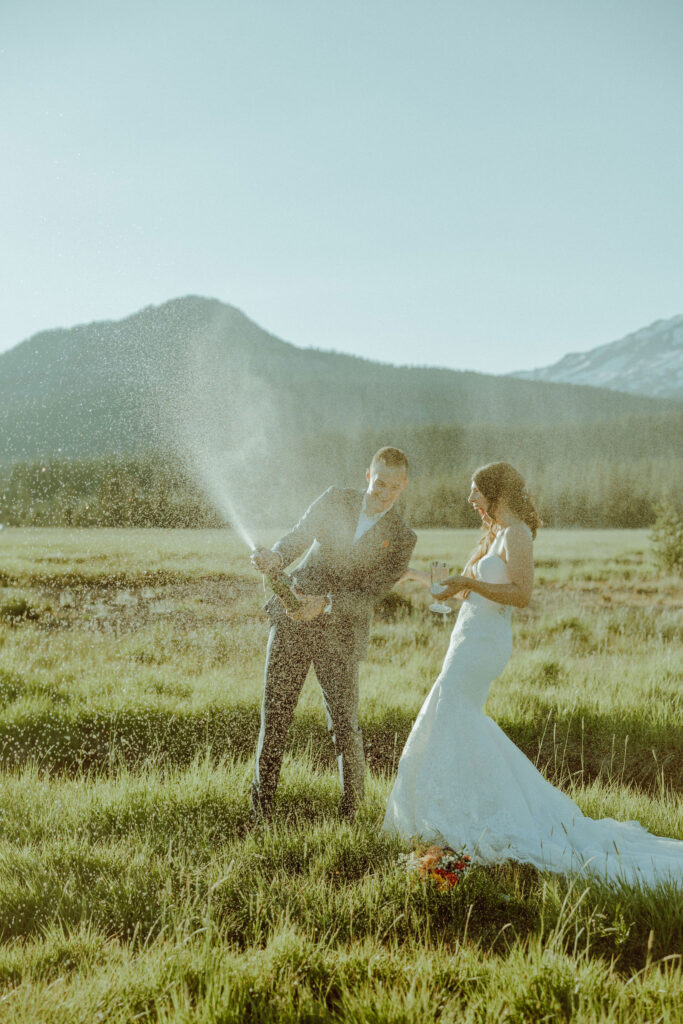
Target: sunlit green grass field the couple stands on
{"x": 131, "y": 889}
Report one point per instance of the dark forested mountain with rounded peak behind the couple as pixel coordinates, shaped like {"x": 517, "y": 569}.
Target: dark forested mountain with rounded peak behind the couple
{"x": 123, "y": 387}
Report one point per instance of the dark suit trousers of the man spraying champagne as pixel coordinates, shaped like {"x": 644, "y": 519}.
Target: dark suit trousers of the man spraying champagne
{"x": 293, "y": 648}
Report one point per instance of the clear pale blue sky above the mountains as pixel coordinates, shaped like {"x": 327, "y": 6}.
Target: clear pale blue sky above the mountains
{"x": 476, "y": 186}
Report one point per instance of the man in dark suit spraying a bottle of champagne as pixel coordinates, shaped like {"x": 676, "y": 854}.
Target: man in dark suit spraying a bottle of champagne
{"x": 357, "y": 549}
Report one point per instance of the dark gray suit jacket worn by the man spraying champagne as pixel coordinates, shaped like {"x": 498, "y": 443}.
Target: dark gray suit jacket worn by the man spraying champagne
{"x": 356, "y": 575}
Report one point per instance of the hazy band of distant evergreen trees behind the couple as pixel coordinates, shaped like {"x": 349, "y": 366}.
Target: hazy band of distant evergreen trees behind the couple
{"x": 615, "y": 475}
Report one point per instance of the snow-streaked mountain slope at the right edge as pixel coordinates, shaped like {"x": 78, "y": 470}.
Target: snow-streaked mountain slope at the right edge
{"x": 649, "y": 362}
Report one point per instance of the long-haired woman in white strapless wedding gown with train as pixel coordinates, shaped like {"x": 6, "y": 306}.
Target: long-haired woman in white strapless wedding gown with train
{"x": 461, "y": 782}
